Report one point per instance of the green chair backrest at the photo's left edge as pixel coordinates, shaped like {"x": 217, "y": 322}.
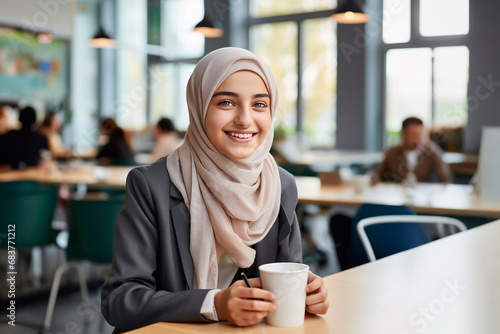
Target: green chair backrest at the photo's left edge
{"x": 29, "y": 206}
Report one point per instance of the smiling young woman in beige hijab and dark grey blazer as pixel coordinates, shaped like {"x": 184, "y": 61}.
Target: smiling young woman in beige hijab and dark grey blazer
{"x": 215, "y": 207}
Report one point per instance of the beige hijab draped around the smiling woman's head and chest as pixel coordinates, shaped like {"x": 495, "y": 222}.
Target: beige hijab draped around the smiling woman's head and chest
{"x": 232, "y": 203}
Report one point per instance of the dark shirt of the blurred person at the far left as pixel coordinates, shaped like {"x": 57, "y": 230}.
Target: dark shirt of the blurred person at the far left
{"x": 21, "y": 148}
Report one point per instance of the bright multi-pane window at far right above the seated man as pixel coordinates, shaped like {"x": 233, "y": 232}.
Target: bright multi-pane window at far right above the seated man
{"x": 426, "y": 71}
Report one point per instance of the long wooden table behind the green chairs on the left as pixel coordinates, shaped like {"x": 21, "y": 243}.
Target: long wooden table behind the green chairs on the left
{"x": 112, "y": 176}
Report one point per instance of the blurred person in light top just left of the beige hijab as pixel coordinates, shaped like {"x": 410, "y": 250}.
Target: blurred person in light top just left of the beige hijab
{"x": 166, "y": 137}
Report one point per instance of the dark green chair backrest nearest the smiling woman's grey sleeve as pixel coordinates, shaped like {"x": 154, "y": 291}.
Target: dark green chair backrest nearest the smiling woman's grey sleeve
{"x": 92, "y": 229}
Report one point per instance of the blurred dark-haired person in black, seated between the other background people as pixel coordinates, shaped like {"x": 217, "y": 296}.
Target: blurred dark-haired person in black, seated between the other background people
{"x": 116, "y": 149}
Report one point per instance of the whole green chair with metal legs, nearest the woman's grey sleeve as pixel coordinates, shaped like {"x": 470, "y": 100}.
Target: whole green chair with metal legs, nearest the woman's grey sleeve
{"x": 90, "y": 240}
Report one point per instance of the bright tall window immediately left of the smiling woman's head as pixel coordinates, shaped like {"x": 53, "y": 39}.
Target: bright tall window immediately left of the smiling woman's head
{"x": 179, "y": 51}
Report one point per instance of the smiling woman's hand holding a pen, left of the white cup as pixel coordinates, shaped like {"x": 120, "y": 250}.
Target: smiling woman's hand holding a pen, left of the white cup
{"x": 243, "y": 306}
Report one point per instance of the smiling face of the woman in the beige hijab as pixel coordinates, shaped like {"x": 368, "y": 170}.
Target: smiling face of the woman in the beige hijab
{"x": 239, "y": 115}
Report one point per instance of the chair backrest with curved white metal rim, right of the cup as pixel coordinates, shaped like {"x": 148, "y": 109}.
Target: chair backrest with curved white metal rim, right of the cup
{"x": 398, "y": 238}
